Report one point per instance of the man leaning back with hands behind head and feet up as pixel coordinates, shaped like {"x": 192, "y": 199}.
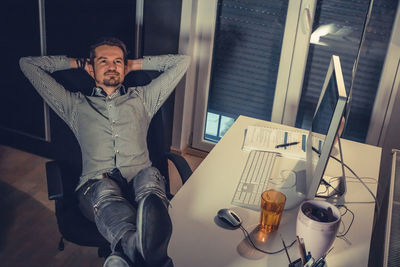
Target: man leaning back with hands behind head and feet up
{"x": 111, "y": 128}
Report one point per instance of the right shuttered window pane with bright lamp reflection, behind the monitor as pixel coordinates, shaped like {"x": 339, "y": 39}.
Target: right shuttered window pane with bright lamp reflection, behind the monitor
{"x": 338, "y": 26}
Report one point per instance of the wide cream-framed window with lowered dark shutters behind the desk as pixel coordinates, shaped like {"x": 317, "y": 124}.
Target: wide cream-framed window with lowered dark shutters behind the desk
{"x": 231, "y": 53}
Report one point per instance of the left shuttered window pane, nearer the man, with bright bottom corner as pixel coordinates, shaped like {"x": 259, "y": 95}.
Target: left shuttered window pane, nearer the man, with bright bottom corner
{"x": 247, "y": 48}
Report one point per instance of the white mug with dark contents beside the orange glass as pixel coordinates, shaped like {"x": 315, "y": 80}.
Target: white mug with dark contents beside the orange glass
{"x": 318, "y": 236}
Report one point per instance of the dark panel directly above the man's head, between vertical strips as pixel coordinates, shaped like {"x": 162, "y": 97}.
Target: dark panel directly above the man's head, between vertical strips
{"x": 72, "y": 26}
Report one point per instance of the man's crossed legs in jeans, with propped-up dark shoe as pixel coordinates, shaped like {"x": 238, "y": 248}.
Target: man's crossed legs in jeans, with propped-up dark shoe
{"x": 142, "y": 229}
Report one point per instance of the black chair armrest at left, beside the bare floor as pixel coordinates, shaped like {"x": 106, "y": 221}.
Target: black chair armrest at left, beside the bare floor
{"x": 54, "y": 180}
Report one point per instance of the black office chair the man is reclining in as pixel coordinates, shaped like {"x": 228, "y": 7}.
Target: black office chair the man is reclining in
{"x": 62, "y": 179}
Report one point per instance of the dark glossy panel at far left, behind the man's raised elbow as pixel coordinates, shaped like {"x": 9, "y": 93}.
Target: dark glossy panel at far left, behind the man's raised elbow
{"x": 22, "y": 108}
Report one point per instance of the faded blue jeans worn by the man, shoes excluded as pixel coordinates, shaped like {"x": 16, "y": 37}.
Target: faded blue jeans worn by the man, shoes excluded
{"x": 111, "y": 203}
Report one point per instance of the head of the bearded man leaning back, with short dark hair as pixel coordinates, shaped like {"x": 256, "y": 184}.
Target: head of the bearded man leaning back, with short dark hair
{"x": 108, "y": 58}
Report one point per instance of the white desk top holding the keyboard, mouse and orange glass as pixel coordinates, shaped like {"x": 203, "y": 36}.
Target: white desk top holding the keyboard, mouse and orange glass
{"x": 197, "y": 240}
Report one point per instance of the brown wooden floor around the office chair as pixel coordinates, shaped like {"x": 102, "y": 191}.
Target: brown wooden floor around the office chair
{"x": 28, "y": 227}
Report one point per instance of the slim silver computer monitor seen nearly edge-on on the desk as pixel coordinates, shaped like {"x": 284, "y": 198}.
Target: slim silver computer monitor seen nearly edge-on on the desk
{"x": 326, "y": 123}
